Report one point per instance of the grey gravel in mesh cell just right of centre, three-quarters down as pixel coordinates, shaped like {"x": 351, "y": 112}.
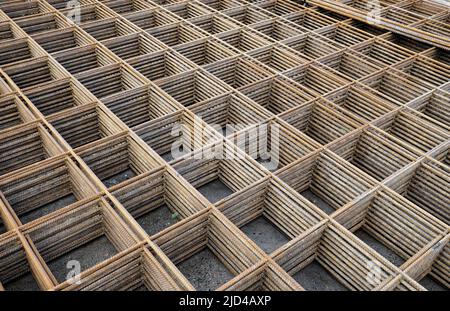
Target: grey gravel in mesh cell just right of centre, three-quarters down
{"x": 265, "y": 234}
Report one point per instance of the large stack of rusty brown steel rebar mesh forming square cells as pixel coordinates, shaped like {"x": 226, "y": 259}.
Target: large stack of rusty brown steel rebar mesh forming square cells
{"x": 363, "y": 134}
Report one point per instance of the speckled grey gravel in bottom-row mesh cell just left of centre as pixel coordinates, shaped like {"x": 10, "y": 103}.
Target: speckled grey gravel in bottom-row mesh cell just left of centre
{"x": 205, "y": 271}
